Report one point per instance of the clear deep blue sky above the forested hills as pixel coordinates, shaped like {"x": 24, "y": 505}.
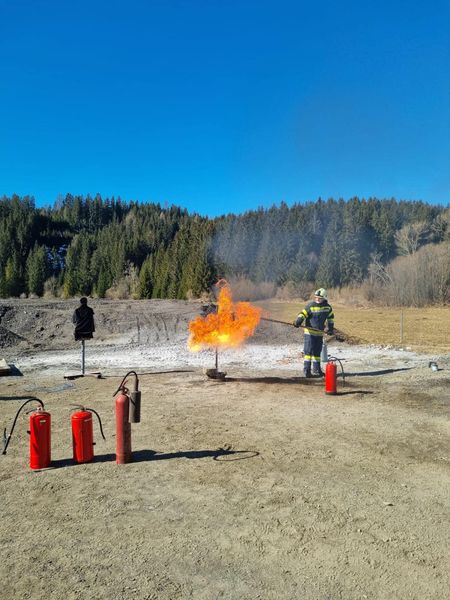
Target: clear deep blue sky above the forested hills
{"x": 225, "y": 105}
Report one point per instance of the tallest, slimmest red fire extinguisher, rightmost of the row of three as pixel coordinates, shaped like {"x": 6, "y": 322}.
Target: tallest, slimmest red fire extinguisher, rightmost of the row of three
{"x": 128, "y": 410}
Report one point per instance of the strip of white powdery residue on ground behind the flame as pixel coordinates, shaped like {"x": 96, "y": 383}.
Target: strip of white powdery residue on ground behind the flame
{"x": 251, "y": 358}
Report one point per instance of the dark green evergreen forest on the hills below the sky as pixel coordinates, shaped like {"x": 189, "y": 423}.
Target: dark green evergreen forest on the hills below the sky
{"x": 95, "y": 246}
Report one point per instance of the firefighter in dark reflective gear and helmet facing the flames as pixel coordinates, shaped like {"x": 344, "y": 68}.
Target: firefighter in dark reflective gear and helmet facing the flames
{"x": 315, "y": 314}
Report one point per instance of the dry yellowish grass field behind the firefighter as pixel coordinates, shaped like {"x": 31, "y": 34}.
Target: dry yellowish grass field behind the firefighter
{"x": 424, "y": 329}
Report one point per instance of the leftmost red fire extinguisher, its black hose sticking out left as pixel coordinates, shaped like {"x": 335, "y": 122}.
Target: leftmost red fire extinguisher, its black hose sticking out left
{"x": 40, "y": 435}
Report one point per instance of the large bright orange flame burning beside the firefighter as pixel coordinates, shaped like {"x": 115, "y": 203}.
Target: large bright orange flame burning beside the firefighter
{"x": 231, "y": 325}
